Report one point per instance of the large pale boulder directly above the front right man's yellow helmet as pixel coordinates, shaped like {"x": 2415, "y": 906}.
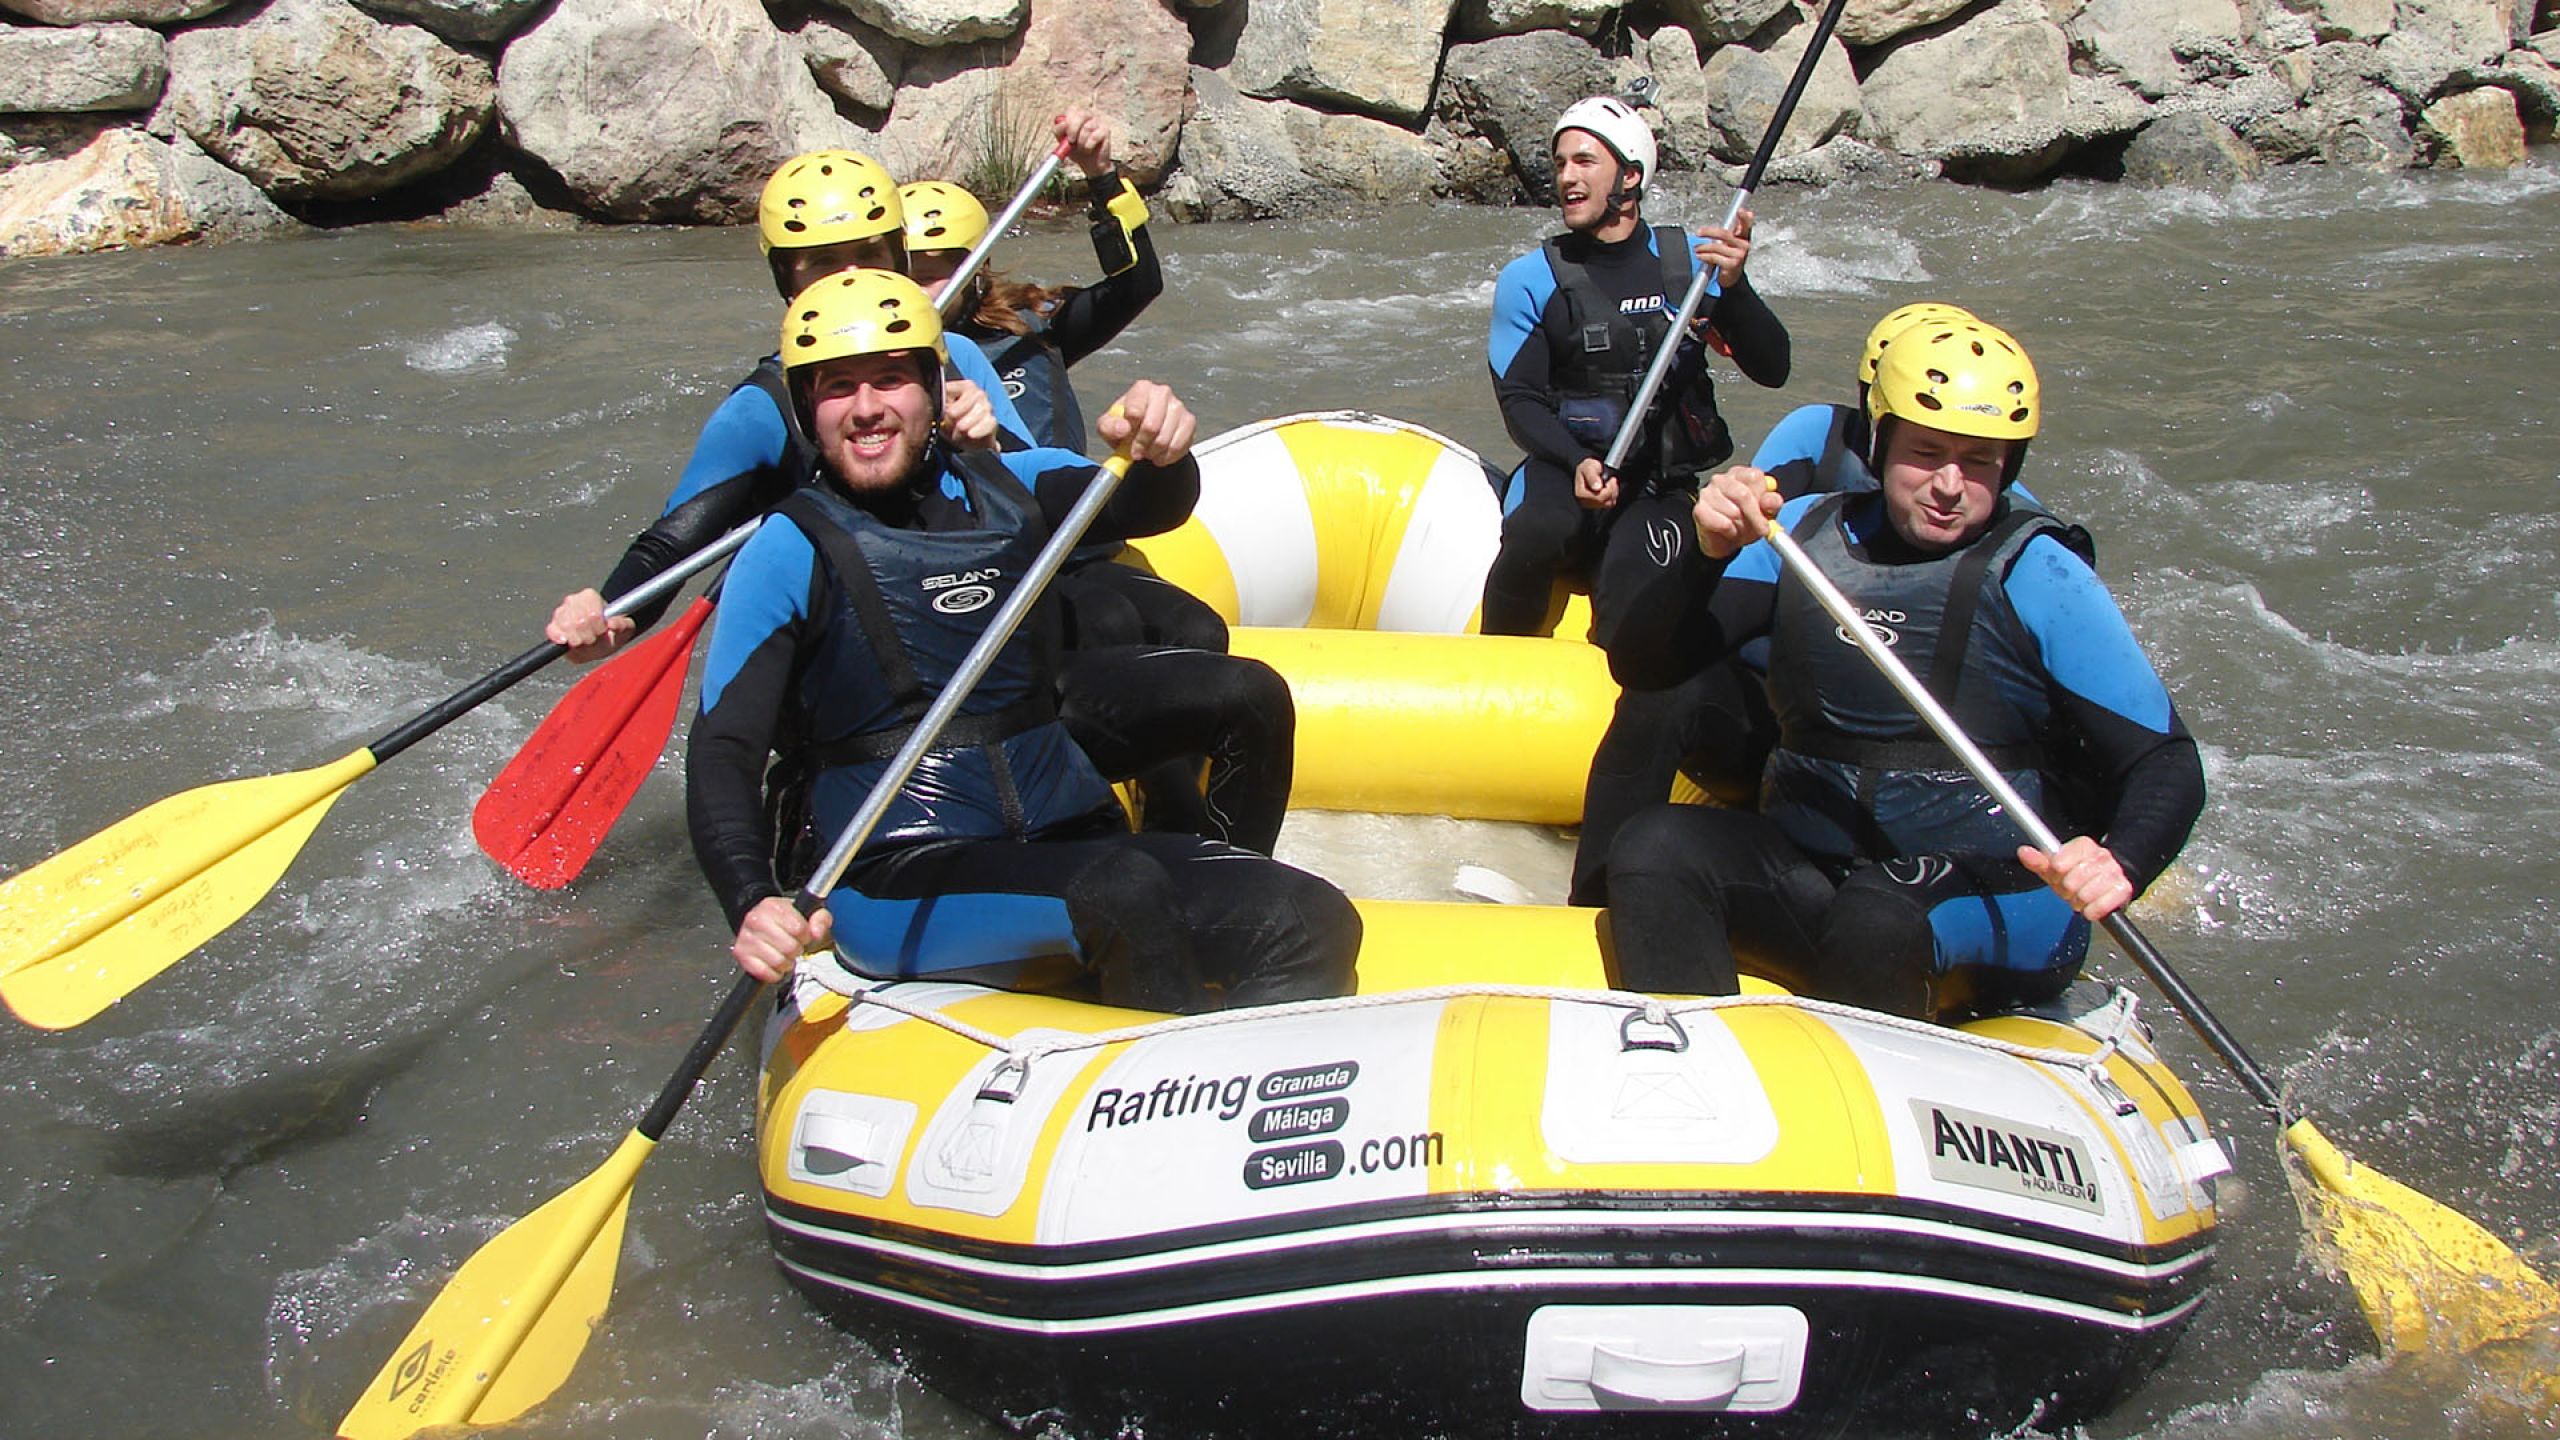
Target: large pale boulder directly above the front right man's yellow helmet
{"x": 1985, "y": 96}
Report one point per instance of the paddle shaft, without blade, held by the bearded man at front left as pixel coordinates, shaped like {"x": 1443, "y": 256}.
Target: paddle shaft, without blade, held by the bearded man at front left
{"x": 831, "y": 870}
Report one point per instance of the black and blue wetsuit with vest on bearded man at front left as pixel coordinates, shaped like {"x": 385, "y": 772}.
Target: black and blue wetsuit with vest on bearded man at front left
{"x": 1005, "y": 852}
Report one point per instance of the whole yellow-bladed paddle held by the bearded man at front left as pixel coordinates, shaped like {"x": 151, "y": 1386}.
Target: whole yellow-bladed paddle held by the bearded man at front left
{"x": 513, "y": 1321}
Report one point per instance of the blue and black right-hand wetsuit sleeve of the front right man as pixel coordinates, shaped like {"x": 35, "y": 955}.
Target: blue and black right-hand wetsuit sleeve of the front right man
{"x": 2141, "y": 765}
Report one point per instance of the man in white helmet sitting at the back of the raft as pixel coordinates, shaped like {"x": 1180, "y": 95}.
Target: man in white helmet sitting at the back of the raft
{"x": 1576, "y": 327}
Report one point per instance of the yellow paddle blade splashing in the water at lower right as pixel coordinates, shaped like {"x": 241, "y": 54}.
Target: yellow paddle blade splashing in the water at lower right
{"x": 2426, "y": 1275}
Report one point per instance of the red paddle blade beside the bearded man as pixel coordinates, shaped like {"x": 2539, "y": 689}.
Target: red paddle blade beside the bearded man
{"x": 547, "y": 814}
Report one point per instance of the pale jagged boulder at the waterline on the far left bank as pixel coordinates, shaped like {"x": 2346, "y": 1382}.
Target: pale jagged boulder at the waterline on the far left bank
{"x": 127, "y": 191}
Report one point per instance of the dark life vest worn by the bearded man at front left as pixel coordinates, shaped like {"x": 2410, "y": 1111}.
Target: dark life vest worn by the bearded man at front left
{"x": 913, "y": 603}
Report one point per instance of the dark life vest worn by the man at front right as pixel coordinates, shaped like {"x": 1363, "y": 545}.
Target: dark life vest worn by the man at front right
{"x": 1857, "y": 773}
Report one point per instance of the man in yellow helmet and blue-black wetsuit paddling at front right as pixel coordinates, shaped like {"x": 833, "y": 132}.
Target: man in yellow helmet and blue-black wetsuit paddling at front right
{"x": 1878, "y": 872}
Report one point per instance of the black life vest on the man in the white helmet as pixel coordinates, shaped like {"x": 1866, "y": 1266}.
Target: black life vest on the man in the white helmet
{"x": 1614, "y": 347}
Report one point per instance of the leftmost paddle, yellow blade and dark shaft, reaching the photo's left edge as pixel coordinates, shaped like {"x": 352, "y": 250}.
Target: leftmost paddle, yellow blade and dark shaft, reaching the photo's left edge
{"x": 93, "y": 924}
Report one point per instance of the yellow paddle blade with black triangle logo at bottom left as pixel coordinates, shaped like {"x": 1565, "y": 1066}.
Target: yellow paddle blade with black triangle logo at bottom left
{"x": 513, "y": 1321}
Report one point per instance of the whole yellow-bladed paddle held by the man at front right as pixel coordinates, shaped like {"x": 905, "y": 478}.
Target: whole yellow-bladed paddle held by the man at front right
{"x": 2420, "y": 1270}
